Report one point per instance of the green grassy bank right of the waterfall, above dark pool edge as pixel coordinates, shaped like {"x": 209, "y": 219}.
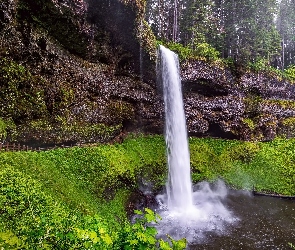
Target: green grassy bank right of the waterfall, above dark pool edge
{"x": 267, "y": 166}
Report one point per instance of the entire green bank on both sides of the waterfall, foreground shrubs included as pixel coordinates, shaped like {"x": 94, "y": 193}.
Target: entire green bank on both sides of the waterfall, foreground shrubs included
{"x": 76, "y": 198}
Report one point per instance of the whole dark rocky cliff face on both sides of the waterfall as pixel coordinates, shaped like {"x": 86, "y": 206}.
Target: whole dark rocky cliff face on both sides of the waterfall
{"x": 74, "y": 71}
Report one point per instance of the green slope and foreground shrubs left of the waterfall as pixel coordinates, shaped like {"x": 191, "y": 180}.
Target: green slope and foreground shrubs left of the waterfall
{"x": 61, "y": 213}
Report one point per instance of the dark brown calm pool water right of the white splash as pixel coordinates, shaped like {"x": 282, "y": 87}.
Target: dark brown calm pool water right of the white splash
{"x": 262, "y": 223}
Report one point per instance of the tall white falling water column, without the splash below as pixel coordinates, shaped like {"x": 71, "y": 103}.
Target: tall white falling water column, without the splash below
{"x": 179, "y": 185}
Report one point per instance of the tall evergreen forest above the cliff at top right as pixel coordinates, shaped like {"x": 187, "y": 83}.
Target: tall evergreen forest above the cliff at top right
{"x": 246, "y": 31}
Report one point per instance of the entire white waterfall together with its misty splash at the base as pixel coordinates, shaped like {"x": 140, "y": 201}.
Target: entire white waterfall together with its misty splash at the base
{"x": 185, "y": 213}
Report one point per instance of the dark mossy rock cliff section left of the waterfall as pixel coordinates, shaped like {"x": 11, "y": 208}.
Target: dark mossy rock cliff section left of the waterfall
{"x": 70, "y": 71}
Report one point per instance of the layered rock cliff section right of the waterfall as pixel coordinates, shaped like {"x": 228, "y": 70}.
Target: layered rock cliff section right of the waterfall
{"x": 251, "y": 106}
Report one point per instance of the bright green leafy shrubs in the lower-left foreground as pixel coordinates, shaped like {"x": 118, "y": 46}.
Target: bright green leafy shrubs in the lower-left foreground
{"x": 30, "y": 218}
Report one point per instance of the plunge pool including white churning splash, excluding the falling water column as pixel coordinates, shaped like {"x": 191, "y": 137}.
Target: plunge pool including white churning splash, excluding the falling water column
{"x": 229, "y": 219}
